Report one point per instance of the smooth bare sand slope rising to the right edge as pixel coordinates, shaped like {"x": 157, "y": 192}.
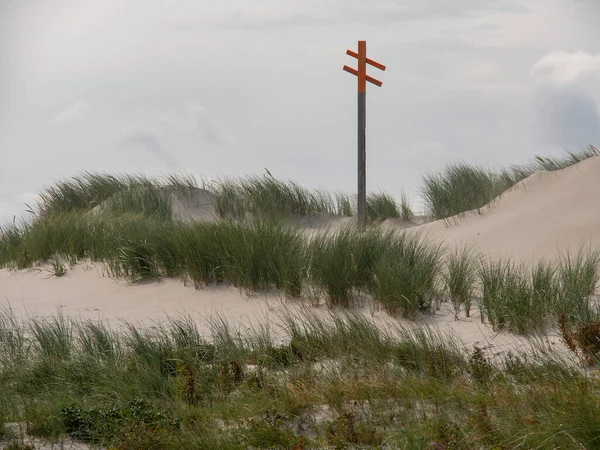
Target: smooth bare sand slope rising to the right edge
{"x": 544, "y": 214}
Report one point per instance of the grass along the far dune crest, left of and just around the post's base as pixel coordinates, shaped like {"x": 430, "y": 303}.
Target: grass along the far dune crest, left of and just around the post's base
{"x": 261, "y": 197}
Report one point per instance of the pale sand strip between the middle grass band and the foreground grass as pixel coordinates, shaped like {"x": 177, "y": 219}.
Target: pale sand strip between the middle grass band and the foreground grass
{"x": 86, "y": 293}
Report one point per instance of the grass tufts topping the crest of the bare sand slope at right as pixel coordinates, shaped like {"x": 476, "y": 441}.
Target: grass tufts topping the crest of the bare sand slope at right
{"x": 461, "y": 187}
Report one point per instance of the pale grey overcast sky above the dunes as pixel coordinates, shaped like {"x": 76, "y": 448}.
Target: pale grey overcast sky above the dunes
{"x": 229, "y": 88}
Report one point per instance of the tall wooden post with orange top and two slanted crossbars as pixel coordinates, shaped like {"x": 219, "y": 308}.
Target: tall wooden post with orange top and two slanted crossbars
{"x": 362, "y": 76}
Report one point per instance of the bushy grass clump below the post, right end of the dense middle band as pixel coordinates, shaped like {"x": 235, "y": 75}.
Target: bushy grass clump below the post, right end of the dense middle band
{"x": 399, "y": 270}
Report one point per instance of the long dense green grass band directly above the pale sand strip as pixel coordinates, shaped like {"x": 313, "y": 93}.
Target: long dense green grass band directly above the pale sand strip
{"x": 255, "y": 256}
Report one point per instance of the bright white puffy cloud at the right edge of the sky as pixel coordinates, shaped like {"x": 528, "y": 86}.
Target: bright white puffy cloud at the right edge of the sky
{"x": 563, "y": 67}
